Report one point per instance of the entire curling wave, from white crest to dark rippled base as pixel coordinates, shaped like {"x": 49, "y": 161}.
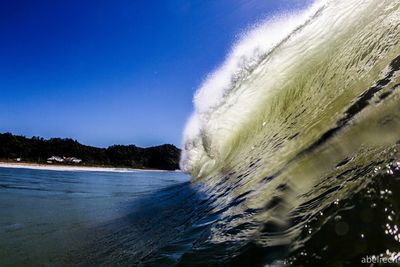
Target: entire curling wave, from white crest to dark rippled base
{"x": 294, "y": 140}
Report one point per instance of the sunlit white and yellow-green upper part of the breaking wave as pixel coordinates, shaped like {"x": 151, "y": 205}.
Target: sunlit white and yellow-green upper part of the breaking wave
{"x": 277, "y": 61}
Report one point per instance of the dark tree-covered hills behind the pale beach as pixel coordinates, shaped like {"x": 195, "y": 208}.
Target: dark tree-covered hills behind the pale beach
{"x": 38, "y": 150}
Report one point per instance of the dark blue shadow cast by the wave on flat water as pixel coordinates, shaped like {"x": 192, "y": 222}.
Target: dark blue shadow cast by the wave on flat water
{"x": 157, "y": 231}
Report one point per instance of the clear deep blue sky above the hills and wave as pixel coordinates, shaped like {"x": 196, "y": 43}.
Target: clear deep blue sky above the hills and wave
{"x": 114, "y": 72}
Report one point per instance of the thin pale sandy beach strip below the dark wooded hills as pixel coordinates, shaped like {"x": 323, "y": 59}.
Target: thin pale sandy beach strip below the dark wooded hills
{"x": 37, "y": 166}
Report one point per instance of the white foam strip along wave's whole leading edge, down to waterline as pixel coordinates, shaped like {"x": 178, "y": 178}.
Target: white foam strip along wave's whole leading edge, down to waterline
{"x": 244, "y": 56}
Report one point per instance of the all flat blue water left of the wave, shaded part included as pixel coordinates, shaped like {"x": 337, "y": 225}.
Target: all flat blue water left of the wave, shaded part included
{"x": 73, "y": 218}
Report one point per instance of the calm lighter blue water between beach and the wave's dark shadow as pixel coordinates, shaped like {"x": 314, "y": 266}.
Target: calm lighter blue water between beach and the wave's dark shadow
{"x": 52, "y": 218}
